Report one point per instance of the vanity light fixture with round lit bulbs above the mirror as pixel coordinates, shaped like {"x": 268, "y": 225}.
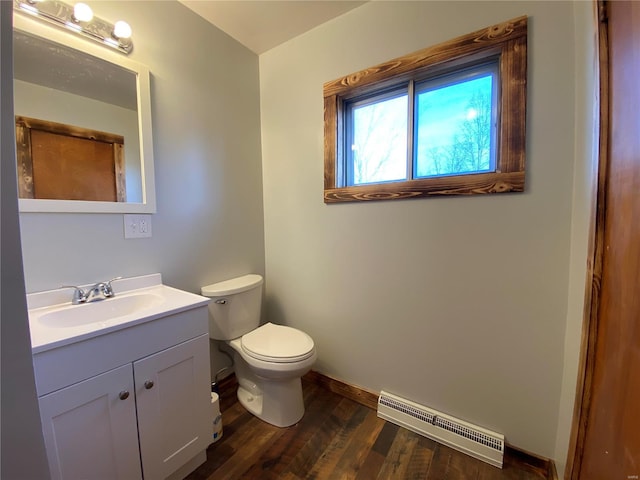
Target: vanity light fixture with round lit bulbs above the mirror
{"x": 79, "y": 19}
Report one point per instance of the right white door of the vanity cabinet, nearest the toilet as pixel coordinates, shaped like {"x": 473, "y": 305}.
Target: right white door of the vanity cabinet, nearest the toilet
{"x": 173, "y": 393}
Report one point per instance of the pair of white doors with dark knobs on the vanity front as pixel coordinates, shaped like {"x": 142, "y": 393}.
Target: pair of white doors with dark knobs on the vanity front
{"x": 90, "y": 427}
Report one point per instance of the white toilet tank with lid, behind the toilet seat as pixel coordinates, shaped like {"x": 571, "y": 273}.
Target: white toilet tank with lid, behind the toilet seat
{"x": 235, "y": 306}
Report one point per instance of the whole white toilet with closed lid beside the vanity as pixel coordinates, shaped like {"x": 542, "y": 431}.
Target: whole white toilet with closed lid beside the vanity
{"x": 269, "y": 359}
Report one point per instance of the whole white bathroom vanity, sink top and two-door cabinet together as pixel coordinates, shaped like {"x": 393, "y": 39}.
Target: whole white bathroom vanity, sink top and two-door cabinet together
{"x": 124, "y": 383}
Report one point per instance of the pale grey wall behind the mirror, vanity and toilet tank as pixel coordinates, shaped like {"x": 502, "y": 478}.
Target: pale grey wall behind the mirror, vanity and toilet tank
{"x": 206, "y": 136}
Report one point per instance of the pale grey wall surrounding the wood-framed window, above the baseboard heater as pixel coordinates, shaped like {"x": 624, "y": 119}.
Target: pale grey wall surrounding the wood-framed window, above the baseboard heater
{"x": 456, "y": 303}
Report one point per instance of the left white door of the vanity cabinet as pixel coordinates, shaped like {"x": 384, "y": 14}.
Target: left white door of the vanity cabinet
{"x": 90, "y": 428}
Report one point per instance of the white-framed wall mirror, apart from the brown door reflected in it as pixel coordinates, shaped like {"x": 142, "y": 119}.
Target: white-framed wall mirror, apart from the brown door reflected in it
{"x": 70, "y": 82}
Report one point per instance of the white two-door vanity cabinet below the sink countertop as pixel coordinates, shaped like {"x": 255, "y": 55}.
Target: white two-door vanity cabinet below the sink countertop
{"x": 129, "y": 404}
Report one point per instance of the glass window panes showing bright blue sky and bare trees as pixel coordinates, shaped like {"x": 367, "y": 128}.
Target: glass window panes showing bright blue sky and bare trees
{"x": 453, "y": 132}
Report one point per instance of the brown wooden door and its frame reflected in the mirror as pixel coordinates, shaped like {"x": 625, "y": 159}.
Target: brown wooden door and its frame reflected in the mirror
{"x": 58, "y": 162}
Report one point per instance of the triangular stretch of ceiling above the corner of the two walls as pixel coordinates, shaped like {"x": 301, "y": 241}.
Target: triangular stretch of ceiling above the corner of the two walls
{"x": 262, "y": 25}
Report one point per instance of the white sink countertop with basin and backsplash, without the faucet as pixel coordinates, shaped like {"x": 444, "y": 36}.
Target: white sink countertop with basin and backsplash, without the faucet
{"x": 54, "y": 321}
